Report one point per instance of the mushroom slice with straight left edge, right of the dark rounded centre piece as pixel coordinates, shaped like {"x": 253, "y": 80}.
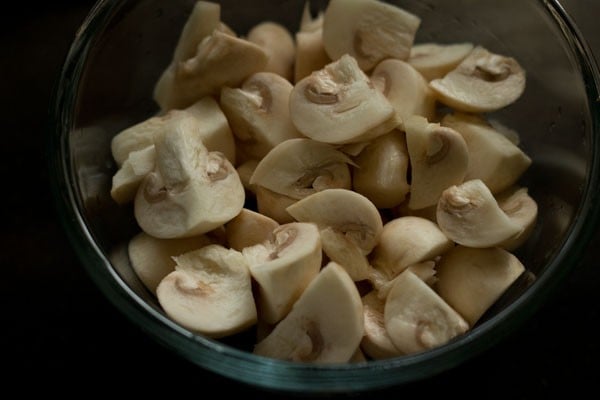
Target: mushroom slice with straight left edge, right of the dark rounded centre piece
{"x": 439, "y": 158}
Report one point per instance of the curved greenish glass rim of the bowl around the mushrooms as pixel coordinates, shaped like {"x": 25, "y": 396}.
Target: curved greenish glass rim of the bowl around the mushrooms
{"x": 286, "y": 376}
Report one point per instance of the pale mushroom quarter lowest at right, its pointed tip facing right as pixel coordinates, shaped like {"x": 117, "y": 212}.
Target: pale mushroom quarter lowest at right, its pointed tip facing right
{"x": 417, "y": 318}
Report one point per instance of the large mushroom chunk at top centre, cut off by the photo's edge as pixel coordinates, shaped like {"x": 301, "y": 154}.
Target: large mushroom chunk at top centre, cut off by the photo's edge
{"x": 369, "y": 30}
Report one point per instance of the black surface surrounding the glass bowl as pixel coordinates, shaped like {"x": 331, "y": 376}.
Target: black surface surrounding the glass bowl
{"x": 58, "y": 326}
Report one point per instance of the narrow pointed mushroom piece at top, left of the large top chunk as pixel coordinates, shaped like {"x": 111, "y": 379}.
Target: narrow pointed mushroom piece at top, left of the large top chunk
{"x": 310, "y": 52}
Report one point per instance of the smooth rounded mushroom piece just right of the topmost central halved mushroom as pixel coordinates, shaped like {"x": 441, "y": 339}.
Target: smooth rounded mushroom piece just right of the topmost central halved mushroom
{"x": 405, "y": 88}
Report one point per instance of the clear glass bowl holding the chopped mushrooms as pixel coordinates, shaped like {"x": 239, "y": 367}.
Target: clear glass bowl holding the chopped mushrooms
{"x": 106, "y": 85}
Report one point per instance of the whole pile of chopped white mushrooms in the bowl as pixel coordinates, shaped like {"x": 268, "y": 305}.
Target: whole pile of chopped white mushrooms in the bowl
{"x": 339, "y": 189}
